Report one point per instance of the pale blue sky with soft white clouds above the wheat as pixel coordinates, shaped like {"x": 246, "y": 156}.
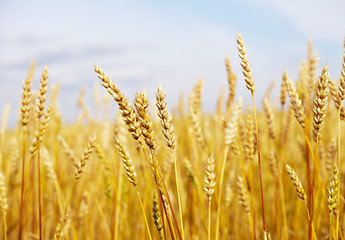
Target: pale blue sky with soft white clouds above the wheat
{"x": 144, "y": 44}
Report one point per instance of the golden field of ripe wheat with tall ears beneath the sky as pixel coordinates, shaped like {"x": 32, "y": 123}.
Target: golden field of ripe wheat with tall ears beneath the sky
{"x": 242, "y": 172}
